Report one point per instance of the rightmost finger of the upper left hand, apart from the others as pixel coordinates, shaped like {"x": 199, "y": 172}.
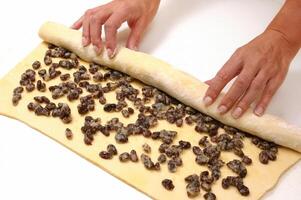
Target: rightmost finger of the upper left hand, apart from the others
{"x": 136, "y": 34}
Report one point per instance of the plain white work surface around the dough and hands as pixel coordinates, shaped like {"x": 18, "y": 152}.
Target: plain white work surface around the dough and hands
{"x": 196, "y": 35}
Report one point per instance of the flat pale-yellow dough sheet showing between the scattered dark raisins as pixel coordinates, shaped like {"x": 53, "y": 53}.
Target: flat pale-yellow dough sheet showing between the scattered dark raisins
{"x": 260, "y": 178}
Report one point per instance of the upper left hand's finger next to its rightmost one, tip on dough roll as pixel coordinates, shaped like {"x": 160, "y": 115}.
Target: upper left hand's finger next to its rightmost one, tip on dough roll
{"x": 111, "y": 27}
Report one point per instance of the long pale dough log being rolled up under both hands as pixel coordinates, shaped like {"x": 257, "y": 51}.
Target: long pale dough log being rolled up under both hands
{"x": 155, "y": 72}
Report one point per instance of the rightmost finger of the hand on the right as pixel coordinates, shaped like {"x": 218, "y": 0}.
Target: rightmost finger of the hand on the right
{"x": 267, "y": 95}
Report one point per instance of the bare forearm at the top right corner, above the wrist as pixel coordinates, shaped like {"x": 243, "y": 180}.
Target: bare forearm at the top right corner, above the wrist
{"x": 288, "y": 22}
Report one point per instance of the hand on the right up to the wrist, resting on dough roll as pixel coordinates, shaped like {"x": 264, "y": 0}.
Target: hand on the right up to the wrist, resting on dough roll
{"x": 260, "y": 67}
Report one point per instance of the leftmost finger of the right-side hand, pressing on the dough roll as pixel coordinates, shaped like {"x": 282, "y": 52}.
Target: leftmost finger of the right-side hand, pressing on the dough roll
{"x": 231, "y": 68}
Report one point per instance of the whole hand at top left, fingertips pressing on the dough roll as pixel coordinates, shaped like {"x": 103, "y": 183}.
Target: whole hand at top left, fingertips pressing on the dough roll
{"x": 137, "y": 13}
